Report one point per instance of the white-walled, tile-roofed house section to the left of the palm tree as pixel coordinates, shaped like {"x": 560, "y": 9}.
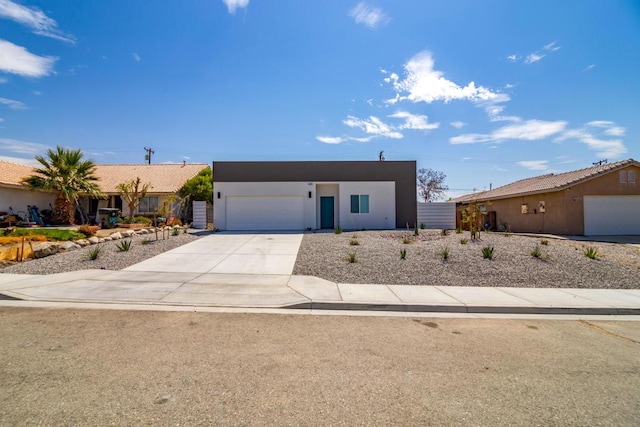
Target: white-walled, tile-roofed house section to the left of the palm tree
{"x": 16, "y": 196}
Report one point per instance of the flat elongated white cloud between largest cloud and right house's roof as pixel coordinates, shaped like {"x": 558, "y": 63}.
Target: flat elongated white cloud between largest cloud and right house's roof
{"x": 529, "y": 130}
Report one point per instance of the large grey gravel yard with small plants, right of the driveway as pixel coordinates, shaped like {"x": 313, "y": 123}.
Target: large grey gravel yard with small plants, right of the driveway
{"x": 378, "y": 261}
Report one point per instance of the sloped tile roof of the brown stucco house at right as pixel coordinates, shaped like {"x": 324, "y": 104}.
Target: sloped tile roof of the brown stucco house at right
{"x": 546, "y": 183}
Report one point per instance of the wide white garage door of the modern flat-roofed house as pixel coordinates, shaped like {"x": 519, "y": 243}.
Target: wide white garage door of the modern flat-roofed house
{"x": 265, "y": 213}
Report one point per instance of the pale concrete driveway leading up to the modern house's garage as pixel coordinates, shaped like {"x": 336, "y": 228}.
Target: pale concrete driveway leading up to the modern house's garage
{"x": 229, "y": 253}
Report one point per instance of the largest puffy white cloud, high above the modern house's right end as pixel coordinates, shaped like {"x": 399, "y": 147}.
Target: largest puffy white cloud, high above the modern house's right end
{"x": 423, "y": 83}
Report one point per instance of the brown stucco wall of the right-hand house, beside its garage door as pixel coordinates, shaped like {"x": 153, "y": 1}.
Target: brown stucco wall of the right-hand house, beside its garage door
{"x": 564, "y": 209}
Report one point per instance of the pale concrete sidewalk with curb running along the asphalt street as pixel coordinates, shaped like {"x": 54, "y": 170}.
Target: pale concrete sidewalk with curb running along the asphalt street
{"x": 305, "y": 292}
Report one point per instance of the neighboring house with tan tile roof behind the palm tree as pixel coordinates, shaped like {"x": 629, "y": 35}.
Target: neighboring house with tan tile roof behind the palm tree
{"x": 165, "y": 179}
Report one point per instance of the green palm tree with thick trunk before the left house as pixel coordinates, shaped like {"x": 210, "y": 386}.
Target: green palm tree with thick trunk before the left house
{"x": 66, "y": 173}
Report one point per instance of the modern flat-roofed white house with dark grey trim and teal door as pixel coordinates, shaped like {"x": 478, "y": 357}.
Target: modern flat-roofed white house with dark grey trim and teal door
{"x": 302, "y": 195}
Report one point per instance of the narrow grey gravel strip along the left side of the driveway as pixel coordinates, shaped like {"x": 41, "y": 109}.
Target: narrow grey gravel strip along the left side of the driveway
{"x": 110, "y": 257}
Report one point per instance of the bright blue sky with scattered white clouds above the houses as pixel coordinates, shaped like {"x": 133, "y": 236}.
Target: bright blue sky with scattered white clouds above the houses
{"x": 485, "y": 91}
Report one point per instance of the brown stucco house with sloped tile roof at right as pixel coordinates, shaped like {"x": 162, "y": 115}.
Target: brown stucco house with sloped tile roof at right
{"x": 598, "y": 200}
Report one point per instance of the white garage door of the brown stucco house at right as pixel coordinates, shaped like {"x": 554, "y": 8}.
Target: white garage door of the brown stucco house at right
{"x": 611, "y": 215}
